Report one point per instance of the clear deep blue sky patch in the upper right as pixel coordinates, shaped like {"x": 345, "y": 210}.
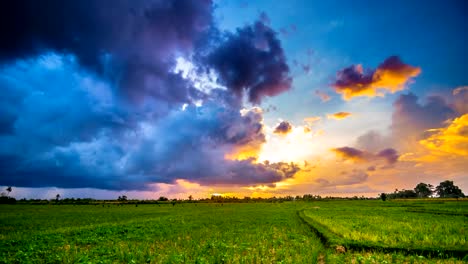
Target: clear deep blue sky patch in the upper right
{"x": 429, "y": 34}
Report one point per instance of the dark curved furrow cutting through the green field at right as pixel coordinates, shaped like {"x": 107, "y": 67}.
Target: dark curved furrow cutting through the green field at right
{"x": 337, "y": 241}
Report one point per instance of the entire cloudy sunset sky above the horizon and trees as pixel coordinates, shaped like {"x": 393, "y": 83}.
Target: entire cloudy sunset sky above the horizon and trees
{"x": 238, "y": 98}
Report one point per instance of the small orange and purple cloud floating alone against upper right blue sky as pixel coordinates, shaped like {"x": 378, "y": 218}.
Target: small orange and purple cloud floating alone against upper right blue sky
{"x": 390, "y": 76}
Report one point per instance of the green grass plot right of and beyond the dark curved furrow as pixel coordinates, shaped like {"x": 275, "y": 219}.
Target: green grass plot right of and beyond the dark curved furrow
{"x": 434, "y": 228}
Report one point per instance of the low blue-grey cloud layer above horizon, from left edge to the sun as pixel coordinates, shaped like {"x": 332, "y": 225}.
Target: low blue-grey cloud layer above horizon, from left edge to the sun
{"x": 190, "y": 144}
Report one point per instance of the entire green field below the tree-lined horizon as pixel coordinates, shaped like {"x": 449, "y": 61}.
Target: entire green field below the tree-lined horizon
{"x": 289, "y": 232}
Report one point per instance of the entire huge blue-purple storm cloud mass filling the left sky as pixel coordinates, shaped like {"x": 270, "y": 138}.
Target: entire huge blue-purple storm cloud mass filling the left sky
{"x": 90, "y": 98}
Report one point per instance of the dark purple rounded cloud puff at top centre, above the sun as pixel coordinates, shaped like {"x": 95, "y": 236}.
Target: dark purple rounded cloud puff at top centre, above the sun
{"x": 252, "y": 61}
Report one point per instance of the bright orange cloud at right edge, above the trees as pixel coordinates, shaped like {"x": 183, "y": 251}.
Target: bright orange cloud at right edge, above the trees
{"x": 452, "y": 140}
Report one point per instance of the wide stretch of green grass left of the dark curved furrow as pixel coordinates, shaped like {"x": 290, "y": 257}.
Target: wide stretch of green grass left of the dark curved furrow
{"x": 192, "y": 233}
